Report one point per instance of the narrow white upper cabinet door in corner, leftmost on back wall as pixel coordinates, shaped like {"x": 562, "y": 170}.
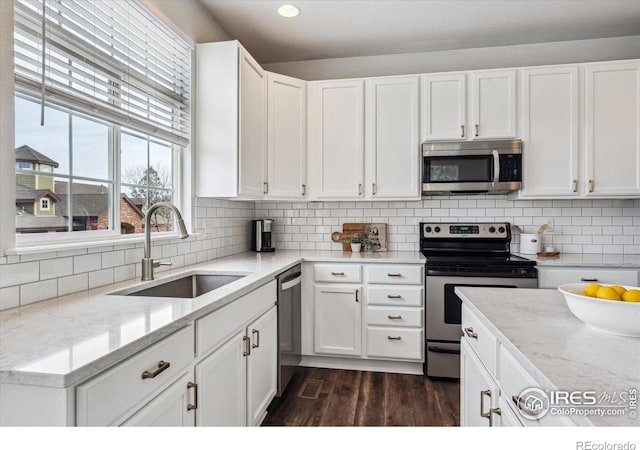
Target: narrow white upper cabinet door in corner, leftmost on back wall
{"x": 286, "y": 136}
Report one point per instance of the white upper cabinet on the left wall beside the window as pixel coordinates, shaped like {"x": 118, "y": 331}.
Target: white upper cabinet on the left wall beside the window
{"x": 230, "y": 122}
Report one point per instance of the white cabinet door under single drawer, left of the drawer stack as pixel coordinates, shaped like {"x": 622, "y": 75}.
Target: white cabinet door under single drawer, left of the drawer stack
{"x": 338, "y": 319}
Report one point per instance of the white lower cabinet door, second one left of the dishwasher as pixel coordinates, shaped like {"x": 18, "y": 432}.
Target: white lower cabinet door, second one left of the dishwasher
{"x": 221, "y": 379}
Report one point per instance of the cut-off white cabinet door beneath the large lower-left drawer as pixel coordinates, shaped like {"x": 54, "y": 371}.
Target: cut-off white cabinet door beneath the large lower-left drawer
{"x": 169, "y": 409}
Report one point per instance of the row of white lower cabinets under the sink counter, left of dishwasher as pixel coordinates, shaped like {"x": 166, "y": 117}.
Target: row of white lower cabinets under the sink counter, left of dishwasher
{"x": 220, "y": 371}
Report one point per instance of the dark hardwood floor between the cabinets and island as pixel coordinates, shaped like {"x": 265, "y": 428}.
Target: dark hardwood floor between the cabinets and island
{"x": 354, "y": 398}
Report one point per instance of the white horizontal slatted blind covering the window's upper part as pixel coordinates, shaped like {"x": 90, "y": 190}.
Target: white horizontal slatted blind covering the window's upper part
{"x": 111, "y": 59}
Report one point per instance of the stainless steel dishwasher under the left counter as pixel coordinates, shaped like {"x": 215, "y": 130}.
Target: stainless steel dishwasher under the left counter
{"x": 289, "y": 319}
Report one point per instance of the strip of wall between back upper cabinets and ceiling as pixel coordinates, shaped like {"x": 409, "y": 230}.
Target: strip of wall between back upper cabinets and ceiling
{"x": 468, "y": 59}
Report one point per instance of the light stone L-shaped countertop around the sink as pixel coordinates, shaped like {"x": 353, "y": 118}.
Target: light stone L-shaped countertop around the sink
{"x": 66, "y": 340}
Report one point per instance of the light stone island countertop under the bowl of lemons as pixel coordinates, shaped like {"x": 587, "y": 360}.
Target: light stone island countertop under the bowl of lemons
{"x": 557, "y": 349}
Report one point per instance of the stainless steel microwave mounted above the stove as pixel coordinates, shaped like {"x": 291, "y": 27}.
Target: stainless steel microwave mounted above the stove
{"x": 471, "y": 167}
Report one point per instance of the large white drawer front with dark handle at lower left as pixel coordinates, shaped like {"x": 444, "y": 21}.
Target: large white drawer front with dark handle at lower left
{"x": 112, "y": 396}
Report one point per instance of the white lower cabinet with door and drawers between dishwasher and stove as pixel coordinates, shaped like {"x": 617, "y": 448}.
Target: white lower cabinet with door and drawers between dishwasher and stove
{"x": 364, "y": 316}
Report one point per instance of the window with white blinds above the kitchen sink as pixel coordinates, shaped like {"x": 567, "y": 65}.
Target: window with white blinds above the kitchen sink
{"x": 115, "y": 97}
